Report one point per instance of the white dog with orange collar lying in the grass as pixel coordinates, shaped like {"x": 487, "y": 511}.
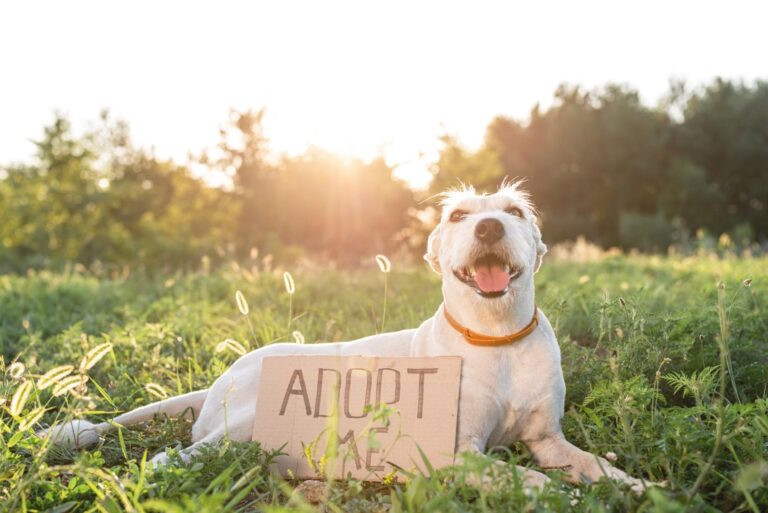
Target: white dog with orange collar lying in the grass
{"x": 487, "y": 249}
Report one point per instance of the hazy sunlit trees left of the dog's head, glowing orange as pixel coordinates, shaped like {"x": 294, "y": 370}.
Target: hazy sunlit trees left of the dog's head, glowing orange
{"x": 96, "y": 198}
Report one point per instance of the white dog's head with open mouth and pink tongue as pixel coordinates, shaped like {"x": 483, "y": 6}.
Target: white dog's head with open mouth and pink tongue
{"x": 486, "y": 245}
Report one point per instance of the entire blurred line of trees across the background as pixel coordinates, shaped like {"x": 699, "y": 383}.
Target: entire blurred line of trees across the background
{"x": 598, "y": 163}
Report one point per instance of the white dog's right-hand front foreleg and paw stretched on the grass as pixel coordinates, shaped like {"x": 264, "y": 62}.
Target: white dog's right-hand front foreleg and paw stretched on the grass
{"x": 556, "y": 453}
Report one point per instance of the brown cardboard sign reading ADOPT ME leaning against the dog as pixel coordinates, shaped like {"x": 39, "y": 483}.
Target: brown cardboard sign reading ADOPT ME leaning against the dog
{"x": 357, "y": 416}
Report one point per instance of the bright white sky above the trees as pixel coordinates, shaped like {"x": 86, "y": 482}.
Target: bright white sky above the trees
{"x": 358, "y": 78}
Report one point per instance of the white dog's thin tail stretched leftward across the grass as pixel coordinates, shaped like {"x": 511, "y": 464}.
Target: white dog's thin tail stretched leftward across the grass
{"x": 81, "y": 433}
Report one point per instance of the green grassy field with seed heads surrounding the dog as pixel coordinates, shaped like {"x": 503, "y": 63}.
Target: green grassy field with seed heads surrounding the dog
{"x": 665, "y": 359}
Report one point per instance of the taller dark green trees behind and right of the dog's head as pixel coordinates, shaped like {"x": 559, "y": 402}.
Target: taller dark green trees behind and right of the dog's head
{"x": 603, "y": 165}
